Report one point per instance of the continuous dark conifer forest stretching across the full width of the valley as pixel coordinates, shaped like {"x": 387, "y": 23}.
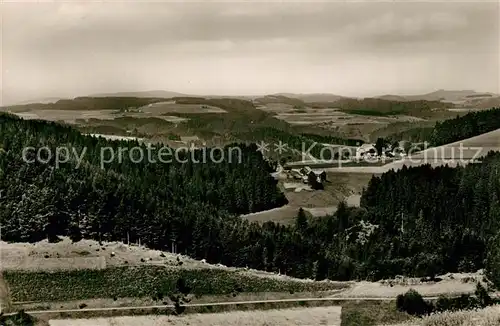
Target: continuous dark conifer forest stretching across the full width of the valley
{"x": 416, "y": 221}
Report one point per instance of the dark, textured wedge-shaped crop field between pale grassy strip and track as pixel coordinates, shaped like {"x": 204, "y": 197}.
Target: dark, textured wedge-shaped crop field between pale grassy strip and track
{"x": 145, "y": 281}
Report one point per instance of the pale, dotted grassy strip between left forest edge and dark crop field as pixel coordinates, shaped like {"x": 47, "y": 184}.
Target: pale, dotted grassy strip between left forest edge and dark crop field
{"x": 18, "y": 256}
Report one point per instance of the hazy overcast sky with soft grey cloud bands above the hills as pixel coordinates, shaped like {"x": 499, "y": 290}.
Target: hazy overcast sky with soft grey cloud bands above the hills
{"x": 227, "y": 48}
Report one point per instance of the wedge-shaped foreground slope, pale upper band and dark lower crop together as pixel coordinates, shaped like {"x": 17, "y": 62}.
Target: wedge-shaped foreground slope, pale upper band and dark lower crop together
{"x": 40, "y": 272}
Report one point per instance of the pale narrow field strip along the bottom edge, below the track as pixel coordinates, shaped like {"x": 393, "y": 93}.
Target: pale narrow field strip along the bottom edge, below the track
{"x": 286, "y": 317}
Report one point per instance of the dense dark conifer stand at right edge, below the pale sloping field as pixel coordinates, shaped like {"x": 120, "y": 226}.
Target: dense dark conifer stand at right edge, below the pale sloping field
{"x": 437, "y": 219}
